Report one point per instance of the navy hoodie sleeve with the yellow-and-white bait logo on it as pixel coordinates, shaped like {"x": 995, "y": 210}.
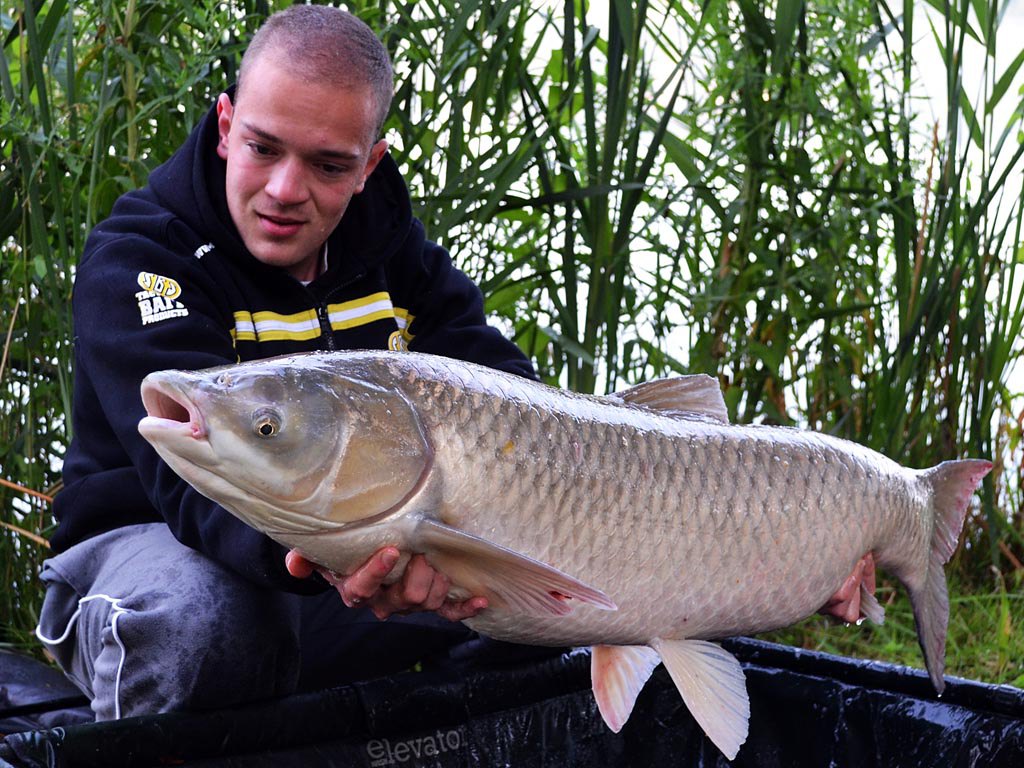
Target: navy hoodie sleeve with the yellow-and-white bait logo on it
{"x": 141, "y": 308}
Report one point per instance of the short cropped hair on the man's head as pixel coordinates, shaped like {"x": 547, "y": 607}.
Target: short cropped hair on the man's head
{"x": 329, "y": 46}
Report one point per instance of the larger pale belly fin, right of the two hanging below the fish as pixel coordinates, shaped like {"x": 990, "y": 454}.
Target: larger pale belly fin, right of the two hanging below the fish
{"x": 712, "y": 684}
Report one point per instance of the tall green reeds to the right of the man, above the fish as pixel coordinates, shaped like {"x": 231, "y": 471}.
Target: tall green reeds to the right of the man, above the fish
{"x": 681, "y": 187}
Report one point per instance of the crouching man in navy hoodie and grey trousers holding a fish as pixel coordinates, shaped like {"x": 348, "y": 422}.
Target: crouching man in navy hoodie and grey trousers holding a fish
{"x": 281, "y": 226}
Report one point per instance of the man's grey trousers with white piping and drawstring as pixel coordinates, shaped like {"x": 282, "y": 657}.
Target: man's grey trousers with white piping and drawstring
{"x": 143, "y": 624}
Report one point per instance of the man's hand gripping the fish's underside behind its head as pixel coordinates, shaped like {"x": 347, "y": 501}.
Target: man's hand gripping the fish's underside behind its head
{"x": 420, "y": 588}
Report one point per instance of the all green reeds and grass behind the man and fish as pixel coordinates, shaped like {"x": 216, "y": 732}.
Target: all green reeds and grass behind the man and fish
{"x": 757, "y": 191}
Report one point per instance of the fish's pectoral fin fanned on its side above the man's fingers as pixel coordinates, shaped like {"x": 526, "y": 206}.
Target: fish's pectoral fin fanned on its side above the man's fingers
{"x": 507, "y": 579}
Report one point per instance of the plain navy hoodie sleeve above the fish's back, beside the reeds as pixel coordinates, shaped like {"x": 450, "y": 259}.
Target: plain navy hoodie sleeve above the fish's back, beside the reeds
{"x": 447, "y": 313}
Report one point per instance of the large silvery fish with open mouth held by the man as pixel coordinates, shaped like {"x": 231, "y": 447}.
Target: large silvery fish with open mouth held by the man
{"x": 641, "y": 524}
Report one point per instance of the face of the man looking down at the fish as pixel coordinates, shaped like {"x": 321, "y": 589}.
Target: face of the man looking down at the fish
{"x": 296, "y": 153}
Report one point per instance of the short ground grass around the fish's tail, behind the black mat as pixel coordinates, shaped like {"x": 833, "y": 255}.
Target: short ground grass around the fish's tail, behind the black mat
{"x": 986, "y": 641}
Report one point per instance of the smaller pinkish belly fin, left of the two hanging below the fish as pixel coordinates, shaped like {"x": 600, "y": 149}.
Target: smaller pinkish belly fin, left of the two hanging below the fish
{"x": 618, "y": 675}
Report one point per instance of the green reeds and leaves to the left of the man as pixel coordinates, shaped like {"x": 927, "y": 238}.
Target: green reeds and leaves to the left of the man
{"x": 94, "y": 97}
